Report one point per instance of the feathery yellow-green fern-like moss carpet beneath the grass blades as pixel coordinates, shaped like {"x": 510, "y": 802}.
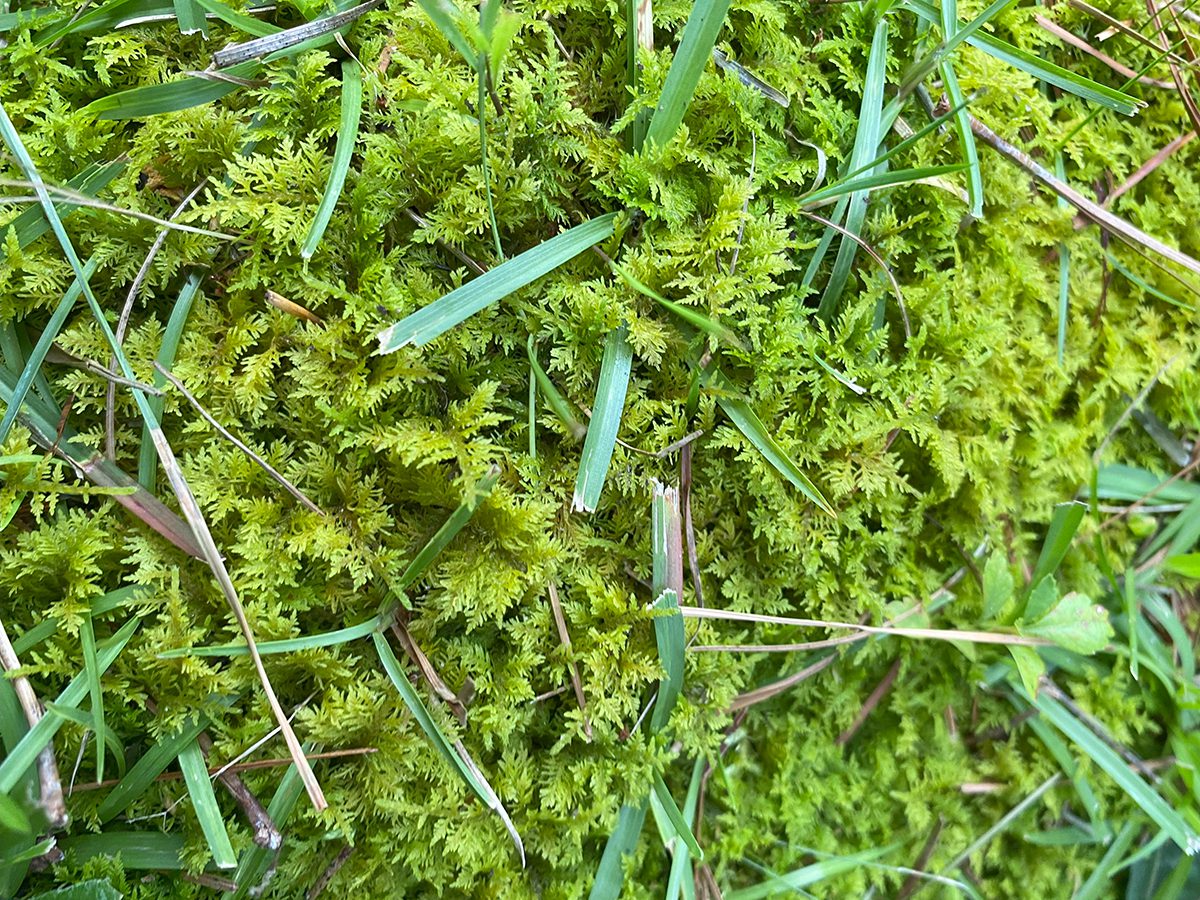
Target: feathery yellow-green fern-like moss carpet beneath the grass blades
{"x": 968, "y": 431}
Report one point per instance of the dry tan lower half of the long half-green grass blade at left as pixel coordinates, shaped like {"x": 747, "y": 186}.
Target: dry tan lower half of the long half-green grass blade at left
{"x": 191, "y": 511}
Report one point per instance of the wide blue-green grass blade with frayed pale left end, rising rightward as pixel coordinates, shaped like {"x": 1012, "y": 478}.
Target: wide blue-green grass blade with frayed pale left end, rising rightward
{"x": 463, "y": 303}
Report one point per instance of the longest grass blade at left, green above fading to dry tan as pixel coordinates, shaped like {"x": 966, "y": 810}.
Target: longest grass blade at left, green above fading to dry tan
{"x": 179, "y": 485}
